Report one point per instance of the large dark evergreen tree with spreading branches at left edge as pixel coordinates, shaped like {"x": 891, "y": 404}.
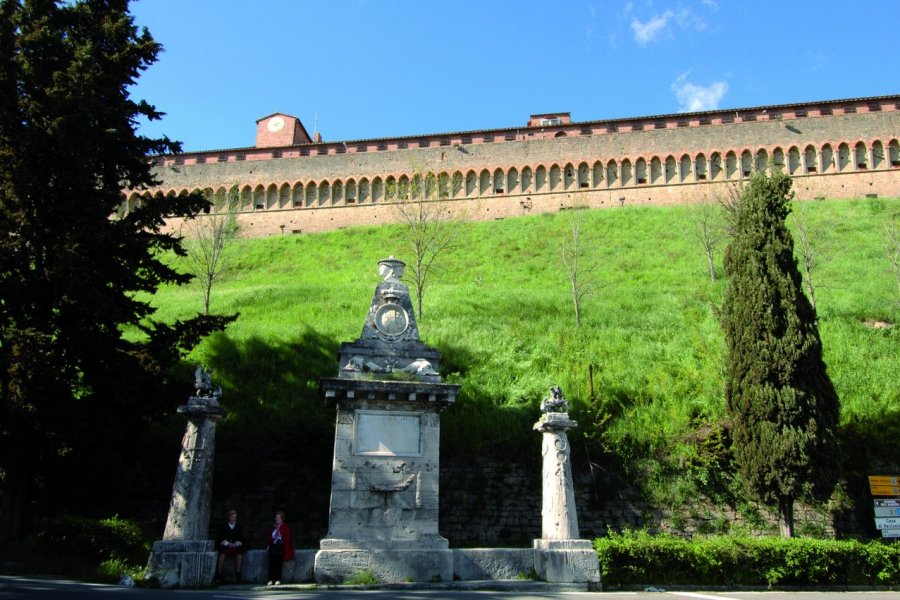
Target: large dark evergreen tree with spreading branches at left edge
{"x": 74, "y": 273}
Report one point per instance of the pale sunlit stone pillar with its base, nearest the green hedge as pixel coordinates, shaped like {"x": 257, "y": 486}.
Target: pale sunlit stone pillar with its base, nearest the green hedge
{"x": 559, "y": 556}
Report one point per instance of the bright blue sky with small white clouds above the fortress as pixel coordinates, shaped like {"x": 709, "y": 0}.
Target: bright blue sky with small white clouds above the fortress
{"x": 357, "y": 69}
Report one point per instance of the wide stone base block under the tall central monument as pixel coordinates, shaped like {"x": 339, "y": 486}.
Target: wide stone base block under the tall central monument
{"x": 387, "y": 565}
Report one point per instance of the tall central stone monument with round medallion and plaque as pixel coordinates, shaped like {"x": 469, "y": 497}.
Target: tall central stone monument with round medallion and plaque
{"x": 384, "y": 488}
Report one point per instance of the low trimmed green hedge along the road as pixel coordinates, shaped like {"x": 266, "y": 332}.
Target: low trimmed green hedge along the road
{"x": 638, "y": 558}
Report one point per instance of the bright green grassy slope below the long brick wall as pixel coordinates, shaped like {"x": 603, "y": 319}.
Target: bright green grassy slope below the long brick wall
{"x": 501, "y": 314}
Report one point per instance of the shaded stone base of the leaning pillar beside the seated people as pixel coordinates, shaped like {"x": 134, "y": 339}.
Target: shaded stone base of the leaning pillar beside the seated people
{"x": 183, "y": 564}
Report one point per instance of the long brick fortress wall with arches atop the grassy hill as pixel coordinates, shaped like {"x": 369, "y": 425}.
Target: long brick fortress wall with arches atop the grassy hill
{"x": 842, "y": 151}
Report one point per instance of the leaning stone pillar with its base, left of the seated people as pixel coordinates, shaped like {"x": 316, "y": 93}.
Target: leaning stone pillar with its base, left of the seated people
{"x": 185, "y": 557}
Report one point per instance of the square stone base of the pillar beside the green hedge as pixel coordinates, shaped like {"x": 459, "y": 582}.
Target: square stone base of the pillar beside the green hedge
{"x": 567, "y": 561}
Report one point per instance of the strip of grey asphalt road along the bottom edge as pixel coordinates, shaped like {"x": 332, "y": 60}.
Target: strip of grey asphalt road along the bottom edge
{"x": 14, "y": 588}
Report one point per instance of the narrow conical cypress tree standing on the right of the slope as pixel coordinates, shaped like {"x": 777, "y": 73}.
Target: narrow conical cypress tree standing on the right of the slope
{"x": 783, "y": 407}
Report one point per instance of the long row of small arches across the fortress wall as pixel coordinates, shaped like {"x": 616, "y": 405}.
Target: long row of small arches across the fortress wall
{"x": 567, "y": 176}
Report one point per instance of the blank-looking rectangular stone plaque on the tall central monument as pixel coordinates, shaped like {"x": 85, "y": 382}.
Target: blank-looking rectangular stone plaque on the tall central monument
{"x": 384, "y": 433}
